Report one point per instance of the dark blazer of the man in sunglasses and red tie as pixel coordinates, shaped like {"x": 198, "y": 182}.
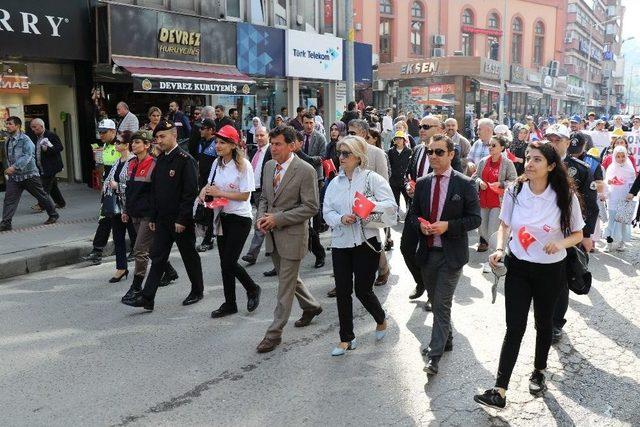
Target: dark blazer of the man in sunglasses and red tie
{"x": 461, "y": 210}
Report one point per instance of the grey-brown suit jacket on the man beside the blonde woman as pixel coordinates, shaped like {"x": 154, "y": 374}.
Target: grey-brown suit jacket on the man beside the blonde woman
{"x": 292, "y": 205}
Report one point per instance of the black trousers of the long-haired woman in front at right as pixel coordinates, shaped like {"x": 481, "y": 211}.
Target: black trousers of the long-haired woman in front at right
{"x": 527, "y": 281}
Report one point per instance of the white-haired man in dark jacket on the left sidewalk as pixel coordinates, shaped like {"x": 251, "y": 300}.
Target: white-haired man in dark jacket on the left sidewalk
{"x": 48, "y": 160}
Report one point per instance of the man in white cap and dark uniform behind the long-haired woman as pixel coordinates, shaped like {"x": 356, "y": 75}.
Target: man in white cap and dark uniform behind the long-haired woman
{"x": 559, "y": 136}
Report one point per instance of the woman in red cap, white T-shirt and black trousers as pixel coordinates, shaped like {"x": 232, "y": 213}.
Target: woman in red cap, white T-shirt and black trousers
{"x": 231, "y": 182}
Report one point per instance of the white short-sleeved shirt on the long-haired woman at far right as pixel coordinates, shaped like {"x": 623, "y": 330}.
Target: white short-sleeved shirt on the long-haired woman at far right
{"x": 539, "y": 216}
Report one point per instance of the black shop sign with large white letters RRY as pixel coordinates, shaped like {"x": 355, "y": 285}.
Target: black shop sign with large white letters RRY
{"x": 45, "y": 29}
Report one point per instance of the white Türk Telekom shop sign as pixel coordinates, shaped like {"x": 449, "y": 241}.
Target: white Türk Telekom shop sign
{"x": 314, "y": 56}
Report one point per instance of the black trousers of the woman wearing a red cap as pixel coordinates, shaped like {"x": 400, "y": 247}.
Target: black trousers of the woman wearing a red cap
{"x": 235, "y": 230}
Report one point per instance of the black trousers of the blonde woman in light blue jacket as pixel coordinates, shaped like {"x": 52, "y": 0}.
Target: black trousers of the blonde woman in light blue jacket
{"x": 356, "y": 268}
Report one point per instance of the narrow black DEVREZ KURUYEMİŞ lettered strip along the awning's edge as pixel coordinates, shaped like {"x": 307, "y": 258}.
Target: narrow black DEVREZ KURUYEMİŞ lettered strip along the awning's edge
{"x": 194, "y": 87}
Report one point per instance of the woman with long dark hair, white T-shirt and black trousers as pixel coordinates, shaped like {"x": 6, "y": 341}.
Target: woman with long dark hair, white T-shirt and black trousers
{"x": 535, "y": 214}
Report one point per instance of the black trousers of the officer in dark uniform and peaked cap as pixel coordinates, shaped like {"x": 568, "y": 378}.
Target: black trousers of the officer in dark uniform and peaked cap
{"x": 165, "y": 235}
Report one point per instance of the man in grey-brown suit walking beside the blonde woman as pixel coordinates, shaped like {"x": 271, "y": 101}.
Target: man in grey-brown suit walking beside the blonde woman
{"x": 289, "y": 198}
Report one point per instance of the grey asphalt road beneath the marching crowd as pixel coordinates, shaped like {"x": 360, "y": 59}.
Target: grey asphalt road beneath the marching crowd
{"x": 71, "y": 354}
